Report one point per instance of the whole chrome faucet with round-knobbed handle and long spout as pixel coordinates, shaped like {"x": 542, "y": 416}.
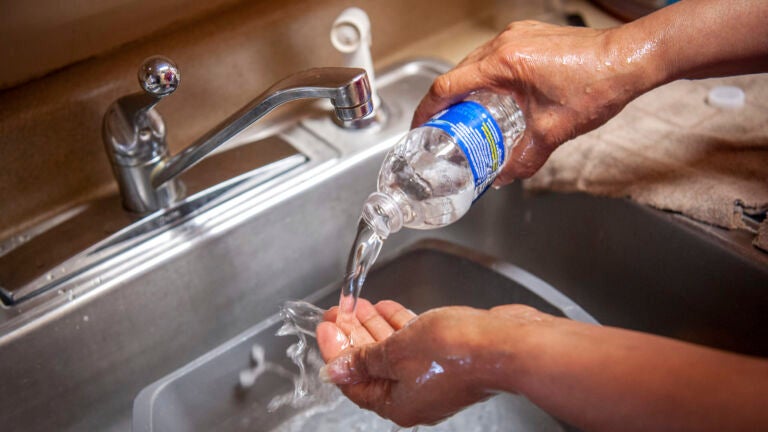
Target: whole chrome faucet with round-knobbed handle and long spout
{"x": 134, "y": 133}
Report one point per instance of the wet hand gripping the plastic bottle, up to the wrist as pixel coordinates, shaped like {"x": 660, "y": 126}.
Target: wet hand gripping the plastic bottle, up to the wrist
{"x": 567, "y": 81}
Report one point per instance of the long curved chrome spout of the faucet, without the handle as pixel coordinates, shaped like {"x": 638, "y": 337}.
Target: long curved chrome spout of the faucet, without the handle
{"x": 347, "y": 88}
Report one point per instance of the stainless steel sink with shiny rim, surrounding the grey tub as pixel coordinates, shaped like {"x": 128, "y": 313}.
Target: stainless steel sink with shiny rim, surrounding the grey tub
{"x": 76, "y": 356}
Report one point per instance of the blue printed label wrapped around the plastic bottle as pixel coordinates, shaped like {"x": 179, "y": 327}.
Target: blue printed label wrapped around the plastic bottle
{"x": 479, "y": 137}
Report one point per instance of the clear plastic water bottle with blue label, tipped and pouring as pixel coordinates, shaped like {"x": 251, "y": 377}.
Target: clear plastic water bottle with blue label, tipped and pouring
{"x": 432, "y": 176}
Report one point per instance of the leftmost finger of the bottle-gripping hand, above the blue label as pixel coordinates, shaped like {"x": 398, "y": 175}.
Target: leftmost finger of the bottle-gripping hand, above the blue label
{"x": 448, "y": 89}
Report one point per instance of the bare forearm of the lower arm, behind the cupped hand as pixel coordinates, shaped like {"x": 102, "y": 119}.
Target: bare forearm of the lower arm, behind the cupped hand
{"x": 607, "y": 379}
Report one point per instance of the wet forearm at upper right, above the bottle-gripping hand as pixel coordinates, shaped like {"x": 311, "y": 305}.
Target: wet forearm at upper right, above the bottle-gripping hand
{"x": 696, "y": 39}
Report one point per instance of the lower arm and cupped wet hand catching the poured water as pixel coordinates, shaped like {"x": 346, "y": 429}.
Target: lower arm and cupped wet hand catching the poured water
{"x": 420, "y": 370}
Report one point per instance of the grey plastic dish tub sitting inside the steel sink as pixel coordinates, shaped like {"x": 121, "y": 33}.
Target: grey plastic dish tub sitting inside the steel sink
{"x": 206, "y": 395}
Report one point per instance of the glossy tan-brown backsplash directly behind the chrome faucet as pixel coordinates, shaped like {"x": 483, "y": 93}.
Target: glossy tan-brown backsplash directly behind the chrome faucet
{"x": 50, "y": 142}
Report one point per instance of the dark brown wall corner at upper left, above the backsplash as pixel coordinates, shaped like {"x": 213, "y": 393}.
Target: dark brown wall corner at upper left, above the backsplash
{"x": 44, "y": 35}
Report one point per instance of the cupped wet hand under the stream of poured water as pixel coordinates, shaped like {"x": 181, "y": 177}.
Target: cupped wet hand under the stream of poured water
{"x": 419, "y": 370}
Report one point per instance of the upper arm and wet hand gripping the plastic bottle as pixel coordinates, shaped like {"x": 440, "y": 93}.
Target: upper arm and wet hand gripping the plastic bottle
{"x": 571, "y": 80}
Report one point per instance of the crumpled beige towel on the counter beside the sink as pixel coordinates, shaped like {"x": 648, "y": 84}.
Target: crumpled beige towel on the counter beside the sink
{"x": 671, "y": 150}
